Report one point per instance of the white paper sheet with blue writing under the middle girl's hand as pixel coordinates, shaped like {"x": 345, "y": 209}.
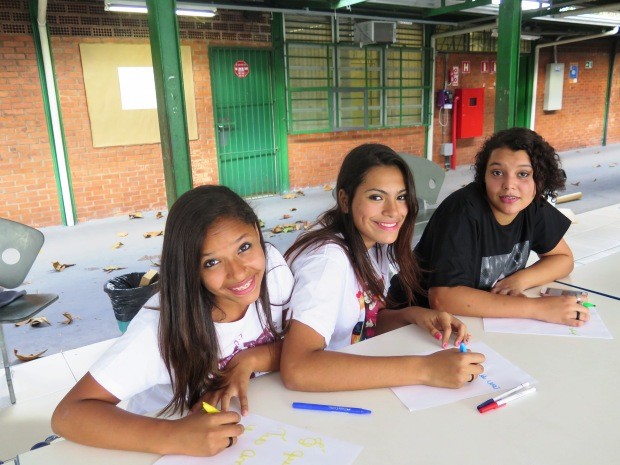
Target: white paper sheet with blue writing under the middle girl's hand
{"x": 499, "y": 375}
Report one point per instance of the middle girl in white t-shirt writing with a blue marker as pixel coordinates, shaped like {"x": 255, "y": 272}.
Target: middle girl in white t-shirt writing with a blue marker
{"x": 341, "y": 272}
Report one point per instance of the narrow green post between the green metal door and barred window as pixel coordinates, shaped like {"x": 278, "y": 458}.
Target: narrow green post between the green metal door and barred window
{"x": 279, "y": 108}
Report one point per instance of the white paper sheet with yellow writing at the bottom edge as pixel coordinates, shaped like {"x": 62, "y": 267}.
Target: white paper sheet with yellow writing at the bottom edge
{"x": 268, "y": 442}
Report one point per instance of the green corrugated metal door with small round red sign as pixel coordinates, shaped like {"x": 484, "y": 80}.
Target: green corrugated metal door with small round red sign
{"x": 241, "y": 84}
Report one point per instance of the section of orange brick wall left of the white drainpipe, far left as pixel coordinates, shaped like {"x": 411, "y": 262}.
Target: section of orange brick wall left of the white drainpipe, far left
{"x": 27, "y": 185}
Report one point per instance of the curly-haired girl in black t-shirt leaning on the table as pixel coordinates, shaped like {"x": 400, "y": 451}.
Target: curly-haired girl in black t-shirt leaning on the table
{"x": 475, "y": 248}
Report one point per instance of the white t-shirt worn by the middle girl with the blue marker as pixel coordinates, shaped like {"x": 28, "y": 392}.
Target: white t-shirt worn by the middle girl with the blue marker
{"x": 327, "y": 296}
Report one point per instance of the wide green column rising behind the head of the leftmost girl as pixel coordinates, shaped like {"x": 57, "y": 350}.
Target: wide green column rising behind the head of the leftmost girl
{"x": 166, "y": 53}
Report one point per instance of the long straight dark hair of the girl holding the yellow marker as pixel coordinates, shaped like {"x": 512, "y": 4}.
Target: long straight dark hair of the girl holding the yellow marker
{"x": 187, "y": 338}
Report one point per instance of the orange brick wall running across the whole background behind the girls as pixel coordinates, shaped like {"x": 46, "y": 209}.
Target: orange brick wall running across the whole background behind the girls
{"x": 120, "y": 180}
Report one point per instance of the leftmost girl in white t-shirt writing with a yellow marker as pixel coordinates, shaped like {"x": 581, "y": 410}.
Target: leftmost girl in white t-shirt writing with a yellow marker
{"x": 217, "y": 319}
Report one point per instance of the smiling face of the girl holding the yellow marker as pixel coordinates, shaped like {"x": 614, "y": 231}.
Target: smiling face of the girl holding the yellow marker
{"x": 232, "y": 267}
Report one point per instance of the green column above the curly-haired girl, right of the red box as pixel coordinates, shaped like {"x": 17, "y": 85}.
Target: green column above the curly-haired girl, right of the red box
{"x": 509, "y": 33}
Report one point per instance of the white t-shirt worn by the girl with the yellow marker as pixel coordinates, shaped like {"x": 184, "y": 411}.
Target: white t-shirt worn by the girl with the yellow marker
{"x": 133, "y": 369}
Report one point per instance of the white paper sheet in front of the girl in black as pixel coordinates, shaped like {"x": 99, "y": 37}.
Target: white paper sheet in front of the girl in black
{"x": 594, "y": 328}
